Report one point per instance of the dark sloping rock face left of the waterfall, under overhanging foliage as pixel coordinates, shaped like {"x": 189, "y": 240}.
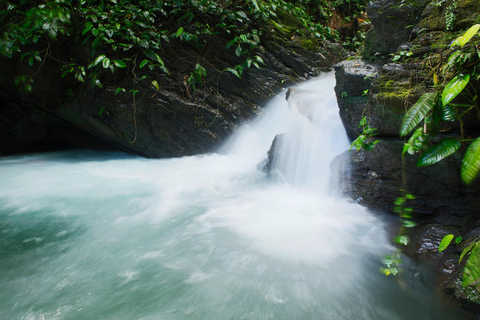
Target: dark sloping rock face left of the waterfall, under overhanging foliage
{"x": 175, "y": 120}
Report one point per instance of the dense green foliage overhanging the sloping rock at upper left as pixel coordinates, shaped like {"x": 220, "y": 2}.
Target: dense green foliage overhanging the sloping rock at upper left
{"x": 128, "y": 34}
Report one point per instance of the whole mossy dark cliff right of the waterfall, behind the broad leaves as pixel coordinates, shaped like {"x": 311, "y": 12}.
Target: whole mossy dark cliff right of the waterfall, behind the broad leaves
{"x": 407, "y": 46}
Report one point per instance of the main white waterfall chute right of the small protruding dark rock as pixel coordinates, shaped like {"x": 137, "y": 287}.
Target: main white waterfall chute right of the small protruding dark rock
{"x": 314, "y": 136}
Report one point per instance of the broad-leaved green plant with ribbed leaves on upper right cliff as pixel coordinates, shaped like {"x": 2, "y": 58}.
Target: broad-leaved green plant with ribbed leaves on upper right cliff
{"x": 438, "y": 106}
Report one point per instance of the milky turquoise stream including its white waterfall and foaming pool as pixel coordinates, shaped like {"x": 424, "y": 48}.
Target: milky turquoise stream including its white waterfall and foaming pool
{"x": 87, "y": 235}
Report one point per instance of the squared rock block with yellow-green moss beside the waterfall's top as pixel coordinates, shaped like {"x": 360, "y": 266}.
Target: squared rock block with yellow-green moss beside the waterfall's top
{"x": 378, "y": 92}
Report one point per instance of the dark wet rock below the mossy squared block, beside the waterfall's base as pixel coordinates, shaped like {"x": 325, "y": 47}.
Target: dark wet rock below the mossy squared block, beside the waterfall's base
{"x": 376, "y": 177}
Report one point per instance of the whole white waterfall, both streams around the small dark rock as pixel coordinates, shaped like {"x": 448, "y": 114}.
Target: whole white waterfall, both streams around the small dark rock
{"x": 313, "y": 135}
